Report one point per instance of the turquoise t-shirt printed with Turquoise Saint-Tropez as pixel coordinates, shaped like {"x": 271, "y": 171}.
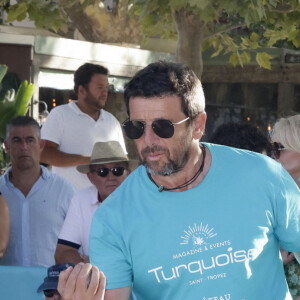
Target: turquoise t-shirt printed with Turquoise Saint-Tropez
{"x": 218, "y": 240}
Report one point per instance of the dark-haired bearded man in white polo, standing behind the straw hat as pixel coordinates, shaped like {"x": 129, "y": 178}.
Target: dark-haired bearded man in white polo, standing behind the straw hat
{"x": 71, "y": 130}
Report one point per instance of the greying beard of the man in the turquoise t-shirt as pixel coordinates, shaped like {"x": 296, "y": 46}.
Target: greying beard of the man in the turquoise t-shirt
{"x": 171, "y": 166}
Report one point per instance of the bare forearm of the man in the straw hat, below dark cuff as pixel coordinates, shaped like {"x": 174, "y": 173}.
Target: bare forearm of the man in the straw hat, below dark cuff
{"x": 64, "y": 254}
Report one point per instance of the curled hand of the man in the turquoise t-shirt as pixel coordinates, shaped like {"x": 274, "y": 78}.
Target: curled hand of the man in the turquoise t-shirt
{"x": 74, "y": 283}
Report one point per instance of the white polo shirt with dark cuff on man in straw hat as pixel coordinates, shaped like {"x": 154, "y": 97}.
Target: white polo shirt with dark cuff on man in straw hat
{"x": 76, "y": 228}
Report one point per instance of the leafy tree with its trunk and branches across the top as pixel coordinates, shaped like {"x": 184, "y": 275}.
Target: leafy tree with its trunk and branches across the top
{"x": 239, "y": 27}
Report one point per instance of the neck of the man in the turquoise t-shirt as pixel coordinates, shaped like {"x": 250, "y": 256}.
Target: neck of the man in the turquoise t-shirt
{"x": 190, "y": 176}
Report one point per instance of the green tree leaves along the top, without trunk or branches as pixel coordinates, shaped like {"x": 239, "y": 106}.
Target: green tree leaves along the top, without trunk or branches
{"x": 231, "y": 26}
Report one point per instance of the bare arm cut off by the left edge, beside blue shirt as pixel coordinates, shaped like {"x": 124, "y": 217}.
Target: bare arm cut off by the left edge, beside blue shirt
{"x": 4, "y": 226}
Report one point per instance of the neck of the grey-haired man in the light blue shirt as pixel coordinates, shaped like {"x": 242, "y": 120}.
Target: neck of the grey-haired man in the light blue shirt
{"x": 24, "y": 179}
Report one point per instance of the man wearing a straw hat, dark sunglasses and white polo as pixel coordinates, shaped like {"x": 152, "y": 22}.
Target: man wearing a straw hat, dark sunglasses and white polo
{"x": 108, "y": 167}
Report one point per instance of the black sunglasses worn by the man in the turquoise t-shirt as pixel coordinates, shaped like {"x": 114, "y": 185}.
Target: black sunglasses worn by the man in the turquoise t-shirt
{"x": 162, "y": 128}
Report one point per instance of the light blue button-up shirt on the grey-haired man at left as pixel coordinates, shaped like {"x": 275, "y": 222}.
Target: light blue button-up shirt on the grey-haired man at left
{"x": 35, "y": 220}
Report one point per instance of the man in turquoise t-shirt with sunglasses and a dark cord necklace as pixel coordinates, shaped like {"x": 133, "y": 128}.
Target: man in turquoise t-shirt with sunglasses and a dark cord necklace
{"x": 196, "y": 221}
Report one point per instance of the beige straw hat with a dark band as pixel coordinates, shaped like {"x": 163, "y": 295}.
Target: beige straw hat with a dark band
{"x": 106, "y": 153}
